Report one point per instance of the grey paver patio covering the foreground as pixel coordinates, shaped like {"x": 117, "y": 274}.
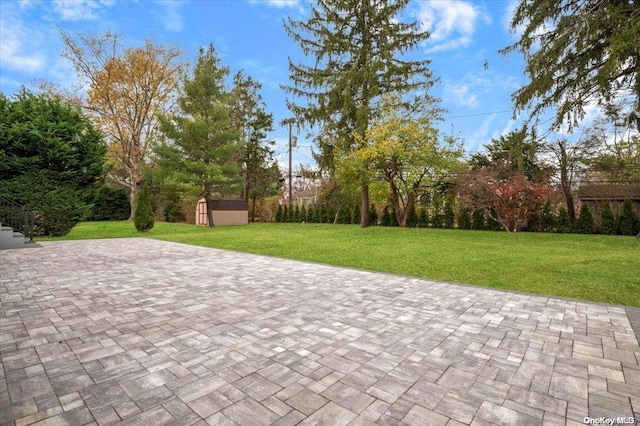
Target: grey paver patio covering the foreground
{"x": 147, "y": 332}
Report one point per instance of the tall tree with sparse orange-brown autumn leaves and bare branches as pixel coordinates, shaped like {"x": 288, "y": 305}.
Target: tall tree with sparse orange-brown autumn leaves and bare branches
{"x": 126, "y": 90}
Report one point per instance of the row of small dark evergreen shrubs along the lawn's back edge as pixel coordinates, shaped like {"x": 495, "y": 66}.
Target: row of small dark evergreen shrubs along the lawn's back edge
{"x": 626, "y": 223}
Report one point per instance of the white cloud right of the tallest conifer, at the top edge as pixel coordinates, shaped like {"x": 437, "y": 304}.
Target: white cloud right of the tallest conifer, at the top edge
{"x": 450, "y": 23}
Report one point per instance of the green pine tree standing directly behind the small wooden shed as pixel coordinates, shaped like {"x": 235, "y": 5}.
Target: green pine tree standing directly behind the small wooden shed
{"x": 199, "y": 155}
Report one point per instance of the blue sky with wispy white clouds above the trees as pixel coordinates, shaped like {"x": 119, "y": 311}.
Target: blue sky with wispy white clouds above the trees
{"x": 248, "y": 34}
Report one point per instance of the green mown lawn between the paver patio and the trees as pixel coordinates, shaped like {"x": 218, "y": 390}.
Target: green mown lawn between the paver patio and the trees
{"x": 590, "y": 267}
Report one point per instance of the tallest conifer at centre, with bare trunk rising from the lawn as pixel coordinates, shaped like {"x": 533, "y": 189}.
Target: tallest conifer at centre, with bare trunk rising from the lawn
{"x": 358, "y": 51}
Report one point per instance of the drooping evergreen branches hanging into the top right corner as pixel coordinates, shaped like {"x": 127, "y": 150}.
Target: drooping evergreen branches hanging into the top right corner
{"x": 578, "y": 52}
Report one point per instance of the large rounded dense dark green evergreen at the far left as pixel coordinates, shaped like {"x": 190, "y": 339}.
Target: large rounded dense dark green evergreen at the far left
{"x": 51, "y": 159}
